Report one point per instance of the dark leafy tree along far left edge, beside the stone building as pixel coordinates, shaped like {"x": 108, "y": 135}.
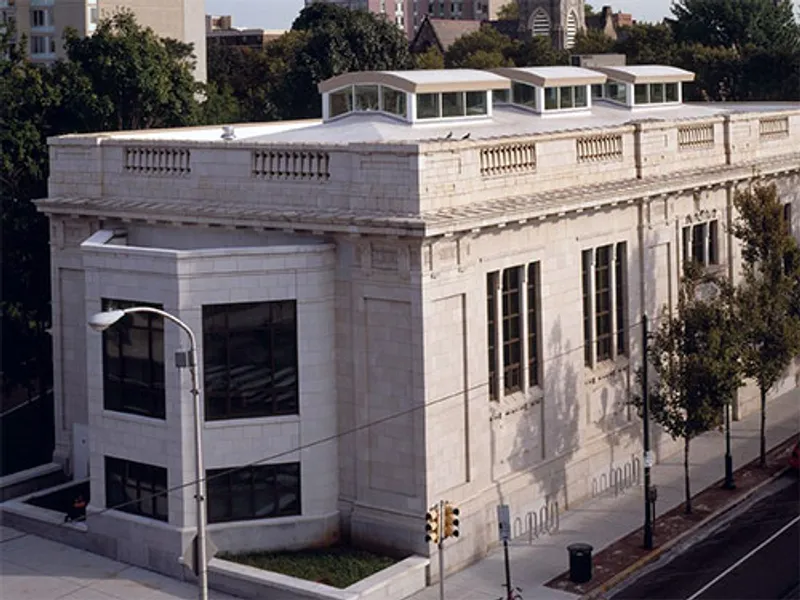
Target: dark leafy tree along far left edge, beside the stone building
{"x": 27, "y": 100}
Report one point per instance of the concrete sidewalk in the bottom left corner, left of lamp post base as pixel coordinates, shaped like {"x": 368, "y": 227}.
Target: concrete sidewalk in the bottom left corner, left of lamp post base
{"x": 33, "y": 568}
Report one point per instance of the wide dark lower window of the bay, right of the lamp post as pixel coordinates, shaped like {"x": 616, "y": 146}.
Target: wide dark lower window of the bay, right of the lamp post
{"x": 254, "y": 492}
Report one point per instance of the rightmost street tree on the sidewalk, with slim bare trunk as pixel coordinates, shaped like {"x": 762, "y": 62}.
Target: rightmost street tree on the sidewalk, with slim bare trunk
{"x": 771, "y": 332}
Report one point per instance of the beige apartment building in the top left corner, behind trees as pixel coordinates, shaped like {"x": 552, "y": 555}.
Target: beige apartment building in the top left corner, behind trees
{"x": 43, "y": 23}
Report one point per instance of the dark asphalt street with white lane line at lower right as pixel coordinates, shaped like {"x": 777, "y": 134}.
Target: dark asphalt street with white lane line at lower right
{"x": 753, "y": 555}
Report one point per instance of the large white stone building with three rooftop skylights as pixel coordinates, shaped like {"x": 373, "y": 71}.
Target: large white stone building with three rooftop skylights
{"x": 435, "y": 292}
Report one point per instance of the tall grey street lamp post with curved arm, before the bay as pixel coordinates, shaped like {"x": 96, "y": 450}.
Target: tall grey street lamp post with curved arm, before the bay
{"x": 102, "y": 321}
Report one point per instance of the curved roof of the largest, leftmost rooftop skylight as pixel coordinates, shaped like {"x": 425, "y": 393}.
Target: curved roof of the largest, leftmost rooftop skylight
{"x": 420, "y": 82}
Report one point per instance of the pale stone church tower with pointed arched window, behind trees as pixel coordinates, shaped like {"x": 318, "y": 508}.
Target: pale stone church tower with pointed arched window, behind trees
{"x": 560, "y": 20}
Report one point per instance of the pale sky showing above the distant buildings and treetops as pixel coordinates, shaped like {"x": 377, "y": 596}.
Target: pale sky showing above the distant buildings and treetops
{"x": 279, "y": 14}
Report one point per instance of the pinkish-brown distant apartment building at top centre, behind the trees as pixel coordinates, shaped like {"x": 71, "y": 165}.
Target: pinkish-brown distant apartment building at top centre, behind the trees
{"x": 409, "y": 14}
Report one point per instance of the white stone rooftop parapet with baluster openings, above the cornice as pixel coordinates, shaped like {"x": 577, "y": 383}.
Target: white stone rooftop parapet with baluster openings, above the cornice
{"x": 407, "y": 178}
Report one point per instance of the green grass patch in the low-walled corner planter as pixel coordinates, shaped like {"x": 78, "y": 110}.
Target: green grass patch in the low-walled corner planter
{"x": 338, "y": 566}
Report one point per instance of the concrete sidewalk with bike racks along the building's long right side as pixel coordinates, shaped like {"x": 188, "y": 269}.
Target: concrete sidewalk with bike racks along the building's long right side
{"x": 602, "y": 521}
